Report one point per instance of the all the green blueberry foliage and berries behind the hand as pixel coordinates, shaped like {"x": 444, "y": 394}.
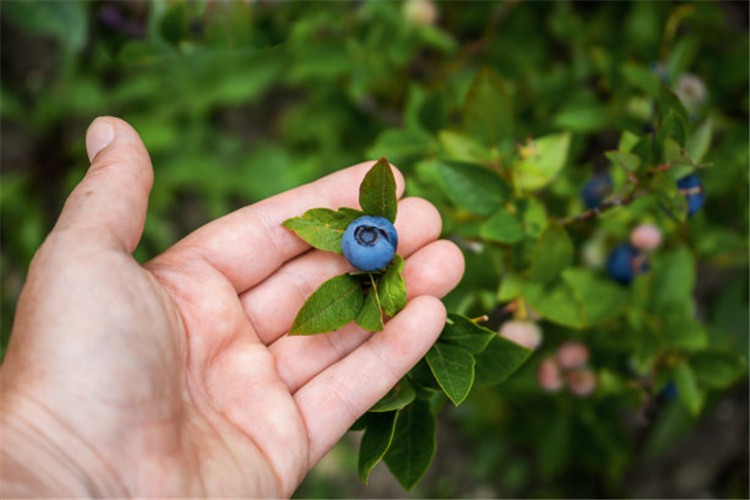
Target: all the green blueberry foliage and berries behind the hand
{"x": 590, "y": 159}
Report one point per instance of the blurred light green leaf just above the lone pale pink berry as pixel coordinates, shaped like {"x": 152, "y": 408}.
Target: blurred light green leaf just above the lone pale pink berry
{"x": 556, "y": 302}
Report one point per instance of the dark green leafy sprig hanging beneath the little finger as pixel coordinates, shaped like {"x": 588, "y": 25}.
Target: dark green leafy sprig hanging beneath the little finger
{"x": 400, "y": 428}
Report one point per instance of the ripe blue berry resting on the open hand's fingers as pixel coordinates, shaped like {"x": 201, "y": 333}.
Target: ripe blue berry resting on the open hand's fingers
{"x": 369, "y": 243}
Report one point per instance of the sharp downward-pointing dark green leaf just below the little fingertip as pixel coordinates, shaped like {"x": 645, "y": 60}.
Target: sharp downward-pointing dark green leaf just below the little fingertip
{"x": 453, "y": 367}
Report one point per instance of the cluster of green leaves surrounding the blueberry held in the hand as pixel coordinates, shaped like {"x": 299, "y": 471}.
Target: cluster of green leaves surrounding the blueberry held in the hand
{"x": 360, "y": 297}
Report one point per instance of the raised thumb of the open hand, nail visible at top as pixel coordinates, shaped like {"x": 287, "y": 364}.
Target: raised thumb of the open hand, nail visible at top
{"x": 108, "y": 207}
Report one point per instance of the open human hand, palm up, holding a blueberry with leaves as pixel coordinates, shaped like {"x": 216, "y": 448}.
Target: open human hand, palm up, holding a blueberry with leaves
{"x": 176, "y": 378}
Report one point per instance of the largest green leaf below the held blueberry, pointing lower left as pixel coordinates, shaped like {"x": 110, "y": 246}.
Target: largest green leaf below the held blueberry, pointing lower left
{"x": 334, "y": 304}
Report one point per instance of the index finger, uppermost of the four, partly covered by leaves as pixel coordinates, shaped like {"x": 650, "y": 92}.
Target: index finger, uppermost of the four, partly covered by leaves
{"x": 249, "y": 244}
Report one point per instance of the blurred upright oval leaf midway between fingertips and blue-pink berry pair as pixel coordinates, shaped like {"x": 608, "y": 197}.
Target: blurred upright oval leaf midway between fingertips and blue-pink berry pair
{"x": 552, "y": 253}
